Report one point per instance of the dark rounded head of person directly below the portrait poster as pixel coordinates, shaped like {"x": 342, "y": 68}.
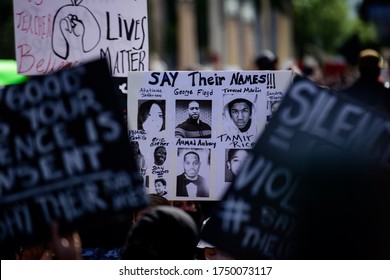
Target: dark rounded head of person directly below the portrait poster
{"x": 177, "y": 232}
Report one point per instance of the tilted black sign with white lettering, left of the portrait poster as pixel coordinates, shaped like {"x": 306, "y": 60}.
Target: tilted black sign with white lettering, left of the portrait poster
{"x": 64, "y": 154}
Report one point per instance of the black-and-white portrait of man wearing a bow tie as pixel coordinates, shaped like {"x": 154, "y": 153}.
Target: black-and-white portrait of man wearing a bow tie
{"x": 193, "y": 176}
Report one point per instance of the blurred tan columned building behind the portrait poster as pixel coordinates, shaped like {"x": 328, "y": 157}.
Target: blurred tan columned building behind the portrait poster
{"x": 221, "y": 34}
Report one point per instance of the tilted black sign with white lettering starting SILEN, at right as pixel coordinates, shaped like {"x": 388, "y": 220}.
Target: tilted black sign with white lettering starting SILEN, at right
{"x": 312, "y": 186}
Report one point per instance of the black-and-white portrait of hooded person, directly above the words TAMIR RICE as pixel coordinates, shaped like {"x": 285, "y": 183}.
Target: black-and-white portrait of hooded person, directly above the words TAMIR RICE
{"x": 239, "y": 114}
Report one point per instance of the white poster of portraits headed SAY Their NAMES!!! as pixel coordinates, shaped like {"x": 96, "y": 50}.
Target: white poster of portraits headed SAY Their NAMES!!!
{"x": 193, "y": 129}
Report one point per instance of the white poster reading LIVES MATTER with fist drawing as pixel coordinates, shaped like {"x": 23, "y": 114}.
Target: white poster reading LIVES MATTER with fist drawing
{"x": 52, "y": 35}
